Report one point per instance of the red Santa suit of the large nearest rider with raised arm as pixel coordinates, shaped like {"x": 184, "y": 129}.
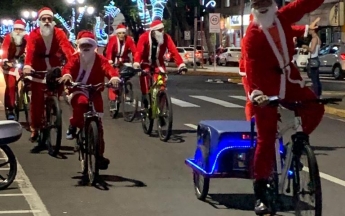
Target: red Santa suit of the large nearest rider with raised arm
{"x": 268, "y": 54}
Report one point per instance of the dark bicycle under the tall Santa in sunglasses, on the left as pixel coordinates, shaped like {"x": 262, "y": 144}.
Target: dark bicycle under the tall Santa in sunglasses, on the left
{"x": 52, "y": 116}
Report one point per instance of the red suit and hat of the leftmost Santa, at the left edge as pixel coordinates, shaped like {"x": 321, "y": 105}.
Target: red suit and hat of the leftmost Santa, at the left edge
{"x": 12, "y": 50}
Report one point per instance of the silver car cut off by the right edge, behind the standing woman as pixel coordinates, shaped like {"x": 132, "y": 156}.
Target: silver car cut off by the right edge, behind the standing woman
{"x": 332, "y": 60}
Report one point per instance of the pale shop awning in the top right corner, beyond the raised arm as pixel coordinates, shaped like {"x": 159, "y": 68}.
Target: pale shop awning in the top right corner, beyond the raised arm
{"x": 331, "y": 14}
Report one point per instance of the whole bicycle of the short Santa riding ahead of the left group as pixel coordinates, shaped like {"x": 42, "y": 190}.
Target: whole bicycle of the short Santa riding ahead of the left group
{"x": 87, "y": 139}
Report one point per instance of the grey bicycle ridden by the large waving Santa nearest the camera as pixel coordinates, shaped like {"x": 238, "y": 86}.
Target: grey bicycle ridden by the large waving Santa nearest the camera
{"x": 291, "y": 167}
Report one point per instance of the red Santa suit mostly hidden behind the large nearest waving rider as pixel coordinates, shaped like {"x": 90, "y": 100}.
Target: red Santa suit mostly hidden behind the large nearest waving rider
{"x": 298, "y": 31}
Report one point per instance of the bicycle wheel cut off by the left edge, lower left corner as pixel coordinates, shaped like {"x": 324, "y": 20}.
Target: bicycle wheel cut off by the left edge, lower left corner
{"x": 9, "y": 166}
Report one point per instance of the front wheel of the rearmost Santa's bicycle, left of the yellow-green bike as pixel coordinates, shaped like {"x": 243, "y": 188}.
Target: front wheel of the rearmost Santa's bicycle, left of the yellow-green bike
{"x": 130, "y": 102}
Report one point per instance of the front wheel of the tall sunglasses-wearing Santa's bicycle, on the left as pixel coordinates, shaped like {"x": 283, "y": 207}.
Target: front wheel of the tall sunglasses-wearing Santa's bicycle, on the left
{"x": 54, "y": 130}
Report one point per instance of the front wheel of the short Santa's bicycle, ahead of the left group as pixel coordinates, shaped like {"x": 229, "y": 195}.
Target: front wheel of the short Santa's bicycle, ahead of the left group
{"x": 92, "y": 145}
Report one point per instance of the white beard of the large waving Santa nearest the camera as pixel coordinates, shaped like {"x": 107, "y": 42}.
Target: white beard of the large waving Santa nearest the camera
{"x": 265, "y": 20}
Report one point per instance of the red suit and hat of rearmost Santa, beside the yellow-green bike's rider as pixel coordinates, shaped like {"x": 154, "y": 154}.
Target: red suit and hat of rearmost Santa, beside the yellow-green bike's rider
{"x": 117, "y": 52}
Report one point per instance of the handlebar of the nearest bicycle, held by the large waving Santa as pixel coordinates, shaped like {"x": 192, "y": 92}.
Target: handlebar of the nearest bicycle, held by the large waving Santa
{"x": 276, "y": 101}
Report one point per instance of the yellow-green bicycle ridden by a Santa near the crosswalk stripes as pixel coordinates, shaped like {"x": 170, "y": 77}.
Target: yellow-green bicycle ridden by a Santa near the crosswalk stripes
{"x": 153, "y": 107}
